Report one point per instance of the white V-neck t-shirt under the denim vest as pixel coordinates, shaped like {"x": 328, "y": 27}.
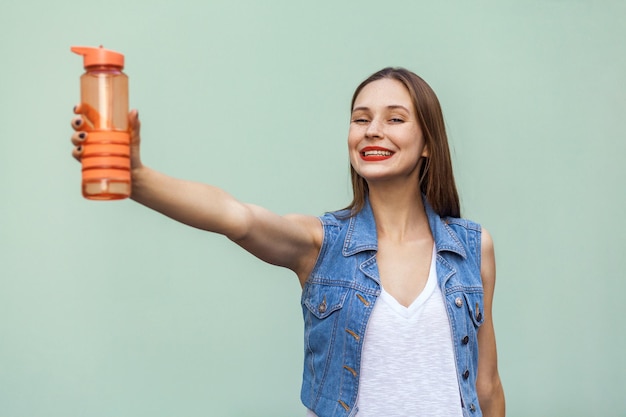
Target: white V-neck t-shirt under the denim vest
{"x": 407, "y": 365}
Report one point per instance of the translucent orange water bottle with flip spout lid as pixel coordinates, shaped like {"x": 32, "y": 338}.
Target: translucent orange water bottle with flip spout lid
{"x": 104, "y": 107}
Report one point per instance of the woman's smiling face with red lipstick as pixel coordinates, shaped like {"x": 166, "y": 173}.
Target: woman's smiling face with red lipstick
{"x": 385, "y": 140}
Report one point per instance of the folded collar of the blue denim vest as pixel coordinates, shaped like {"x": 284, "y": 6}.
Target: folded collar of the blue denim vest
{"x": 362, "y": 235}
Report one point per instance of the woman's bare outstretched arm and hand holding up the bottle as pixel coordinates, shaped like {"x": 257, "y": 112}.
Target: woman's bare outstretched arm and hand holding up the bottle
{"x": 291, "y": 241}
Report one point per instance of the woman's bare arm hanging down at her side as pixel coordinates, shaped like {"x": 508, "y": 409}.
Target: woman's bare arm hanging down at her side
{"x": 488, "y": 384}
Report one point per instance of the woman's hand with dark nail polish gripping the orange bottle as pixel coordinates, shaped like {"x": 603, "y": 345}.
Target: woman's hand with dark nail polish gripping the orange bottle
{"x": 82, "y": 124}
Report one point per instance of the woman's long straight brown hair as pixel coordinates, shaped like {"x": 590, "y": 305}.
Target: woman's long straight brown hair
{"x": 436, "y": 177}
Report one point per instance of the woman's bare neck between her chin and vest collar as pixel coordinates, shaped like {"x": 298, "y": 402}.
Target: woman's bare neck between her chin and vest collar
{"x": 399, "y": 213}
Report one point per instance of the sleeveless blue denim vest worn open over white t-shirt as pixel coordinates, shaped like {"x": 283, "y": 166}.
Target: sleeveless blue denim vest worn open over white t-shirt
{"x": 338, "y": 298}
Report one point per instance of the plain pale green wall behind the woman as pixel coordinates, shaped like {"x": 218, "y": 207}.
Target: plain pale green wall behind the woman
{"x": 109, "y": 309}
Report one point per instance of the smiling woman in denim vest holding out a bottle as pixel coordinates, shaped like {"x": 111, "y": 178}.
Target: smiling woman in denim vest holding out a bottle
{"x": 397, "y": 288}
